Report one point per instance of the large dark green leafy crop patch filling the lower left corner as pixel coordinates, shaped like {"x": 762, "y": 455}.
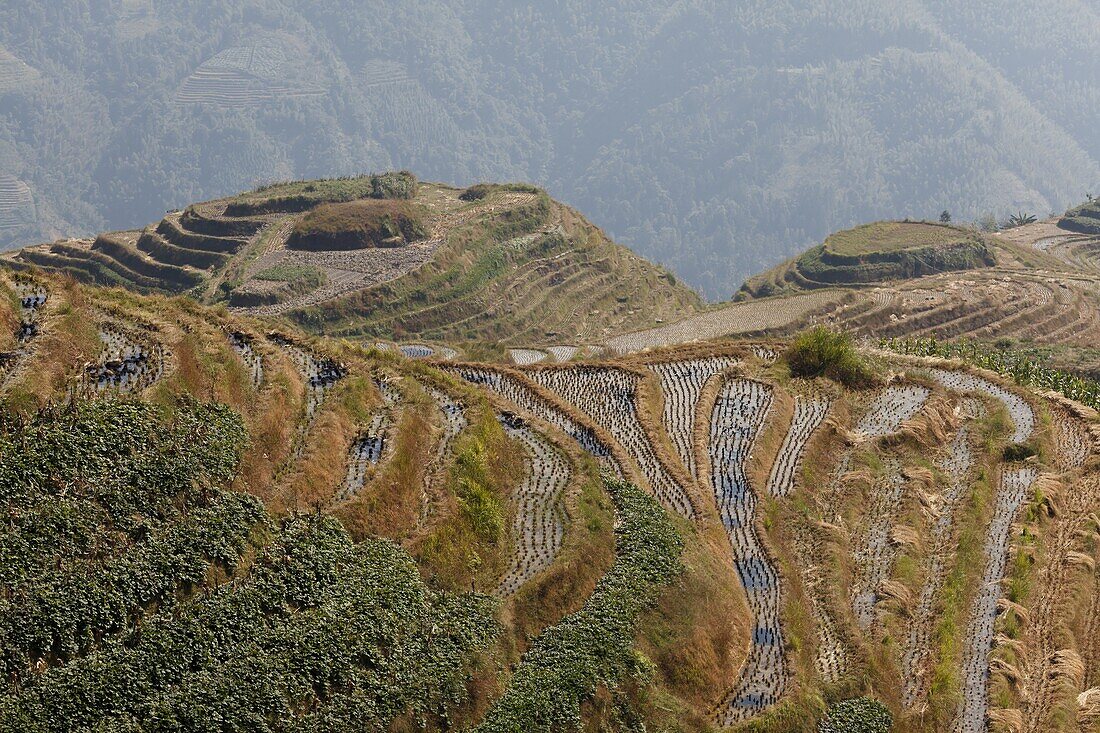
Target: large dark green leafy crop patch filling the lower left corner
{"x": 139, "y": 595}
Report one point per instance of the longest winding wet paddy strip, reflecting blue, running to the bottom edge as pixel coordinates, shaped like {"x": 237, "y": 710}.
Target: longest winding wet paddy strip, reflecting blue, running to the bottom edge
{"x": 740, "y": 414}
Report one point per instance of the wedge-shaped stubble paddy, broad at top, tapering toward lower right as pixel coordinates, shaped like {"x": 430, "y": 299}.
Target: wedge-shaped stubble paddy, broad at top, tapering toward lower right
{"x": 609, "y": 397}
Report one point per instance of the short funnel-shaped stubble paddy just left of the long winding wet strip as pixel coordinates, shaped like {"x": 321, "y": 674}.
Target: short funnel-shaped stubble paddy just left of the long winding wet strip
{"x": 683, "y": 386}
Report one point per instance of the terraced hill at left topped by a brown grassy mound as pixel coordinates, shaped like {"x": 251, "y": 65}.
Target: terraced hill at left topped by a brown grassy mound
{"x": 503, "y": 264}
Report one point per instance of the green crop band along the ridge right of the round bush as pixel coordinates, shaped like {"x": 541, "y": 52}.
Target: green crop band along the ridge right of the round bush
{"x": 1025, "y": 368}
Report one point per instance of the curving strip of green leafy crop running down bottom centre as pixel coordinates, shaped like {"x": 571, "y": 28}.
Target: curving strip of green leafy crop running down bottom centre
{"x": 595, "y": 647}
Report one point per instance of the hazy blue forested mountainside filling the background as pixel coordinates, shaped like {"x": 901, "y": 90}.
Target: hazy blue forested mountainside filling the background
{"x": 716, "y": 138}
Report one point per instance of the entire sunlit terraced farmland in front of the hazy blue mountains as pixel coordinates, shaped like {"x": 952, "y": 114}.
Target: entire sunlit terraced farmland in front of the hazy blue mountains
{"x": 377, "y": 454}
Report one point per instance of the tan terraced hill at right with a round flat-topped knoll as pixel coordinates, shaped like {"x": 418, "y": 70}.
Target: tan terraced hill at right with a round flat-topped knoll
{"x": 1033, "y": 289}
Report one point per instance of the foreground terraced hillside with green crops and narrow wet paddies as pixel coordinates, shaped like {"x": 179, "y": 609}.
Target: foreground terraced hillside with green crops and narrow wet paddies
{"x": 288, "y": 532}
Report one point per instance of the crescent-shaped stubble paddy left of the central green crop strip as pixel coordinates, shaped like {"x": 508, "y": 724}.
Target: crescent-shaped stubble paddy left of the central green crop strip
{"x": 540, "y": 526}
